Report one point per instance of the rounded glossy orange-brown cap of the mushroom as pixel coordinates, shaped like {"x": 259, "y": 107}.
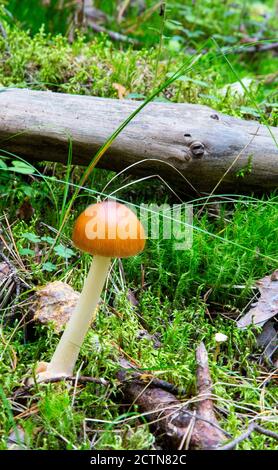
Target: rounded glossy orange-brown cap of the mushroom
{"x": 109, "y": 229}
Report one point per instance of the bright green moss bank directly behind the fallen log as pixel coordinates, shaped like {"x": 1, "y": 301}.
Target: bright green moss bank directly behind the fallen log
{"x": 45, "y": 62}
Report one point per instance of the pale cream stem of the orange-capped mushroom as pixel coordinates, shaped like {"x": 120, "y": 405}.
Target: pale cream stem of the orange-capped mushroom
{"x": 66, "y": 354}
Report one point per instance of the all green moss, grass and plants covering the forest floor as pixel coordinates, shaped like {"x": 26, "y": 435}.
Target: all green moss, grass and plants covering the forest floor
{"x": 187, "y": 296}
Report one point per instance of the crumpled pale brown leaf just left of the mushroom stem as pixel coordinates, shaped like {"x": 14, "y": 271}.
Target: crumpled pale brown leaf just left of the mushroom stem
{"x": 55, "y": 303}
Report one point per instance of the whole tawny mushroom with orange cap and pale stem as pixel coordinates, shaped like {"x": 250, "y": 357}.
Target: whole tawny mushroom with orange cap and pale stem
{"x": 106, "y": 230}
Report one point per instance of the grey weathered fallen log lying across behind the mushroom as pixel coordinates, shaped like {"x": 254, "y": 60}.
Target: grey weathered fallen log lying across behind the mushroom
{"x": 198, "y": 141}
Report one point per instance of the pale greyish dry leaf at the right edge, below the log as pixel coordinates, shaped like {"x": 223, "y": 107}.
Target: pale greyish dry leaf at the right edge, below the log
{"x": 267, "y": 305}
